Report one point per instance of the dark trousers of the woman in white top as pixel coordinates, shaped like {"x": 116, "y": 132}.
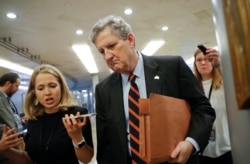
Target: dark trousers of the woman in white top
{"x": 225, "y": 158}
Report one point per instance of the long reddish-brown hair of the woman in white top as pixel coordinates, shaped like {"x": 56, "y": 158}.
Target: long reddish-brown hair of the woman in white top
{"x": 216, "y": 73}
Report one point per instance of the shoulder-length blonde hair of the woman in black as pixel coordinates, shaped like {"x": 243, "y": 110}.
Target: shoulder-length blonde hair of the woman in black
{"x": 32, "y": 108}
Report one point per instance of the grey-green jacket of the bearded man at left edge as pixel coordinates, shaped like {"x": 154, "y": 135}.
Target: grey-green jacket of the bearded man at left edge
{"x": 6, "y": 115}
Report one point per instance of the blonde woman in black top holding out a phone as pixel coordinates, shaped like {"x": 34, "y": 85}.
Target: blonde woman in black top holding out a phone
{"x": 54, "y": 134}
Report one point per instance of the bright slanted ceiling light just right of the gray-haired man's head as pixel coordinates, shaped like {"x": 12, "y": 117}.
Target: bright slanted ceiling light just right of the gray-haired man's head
{"x": 152, "y": 47}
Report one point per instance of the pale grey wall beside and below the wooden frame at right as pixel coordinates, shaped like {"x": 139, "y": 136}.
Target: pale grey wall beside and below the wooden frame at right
{"x": 239, "y": 120}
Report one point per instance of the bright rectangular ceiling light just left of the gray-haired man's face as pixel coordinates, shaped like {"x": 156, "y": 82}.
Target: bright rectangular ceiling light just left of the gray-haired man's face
{"x": 86, "y": 57}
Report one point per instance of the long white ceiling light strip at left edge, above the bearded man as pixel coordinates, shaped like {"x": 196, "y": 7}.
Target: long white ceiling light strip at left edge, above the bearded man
{"x": 15, "y": 67}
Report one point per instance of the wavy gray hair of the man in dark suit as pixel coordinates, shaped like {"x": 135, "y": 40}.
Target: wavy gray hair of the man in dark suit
{"x": 118, "y": 26}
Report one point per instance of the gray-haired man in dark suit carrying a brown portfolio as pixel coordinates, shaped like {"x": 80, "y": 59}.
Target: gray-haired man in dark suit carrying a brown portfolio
{"x": 165, "y": 75}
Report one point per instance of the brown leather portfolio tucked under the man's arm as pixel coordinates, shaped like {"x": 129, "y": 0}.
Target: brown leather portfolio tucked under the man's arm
{"x": 164, "y": 121}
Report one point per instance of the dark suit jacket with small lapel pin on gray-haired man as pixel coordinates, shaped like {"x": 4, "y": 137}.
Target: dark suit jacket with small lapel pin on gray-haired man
{"x": 176, "y": 80}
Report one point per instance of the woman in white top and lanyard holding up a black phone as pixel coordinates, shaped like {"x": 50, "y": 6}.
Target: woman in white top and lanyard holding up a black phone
{"x": 208, "y": 72}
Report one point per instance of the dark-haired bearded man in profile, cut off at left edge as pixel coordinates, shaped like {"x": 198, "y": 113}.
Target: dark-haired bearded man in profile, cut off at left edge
{"x": 9, "y": 84}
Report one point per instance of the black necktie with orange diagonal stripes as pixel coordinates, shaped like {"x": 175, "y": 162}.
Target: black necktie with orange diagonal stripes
{"x": 133, "y": 104}
